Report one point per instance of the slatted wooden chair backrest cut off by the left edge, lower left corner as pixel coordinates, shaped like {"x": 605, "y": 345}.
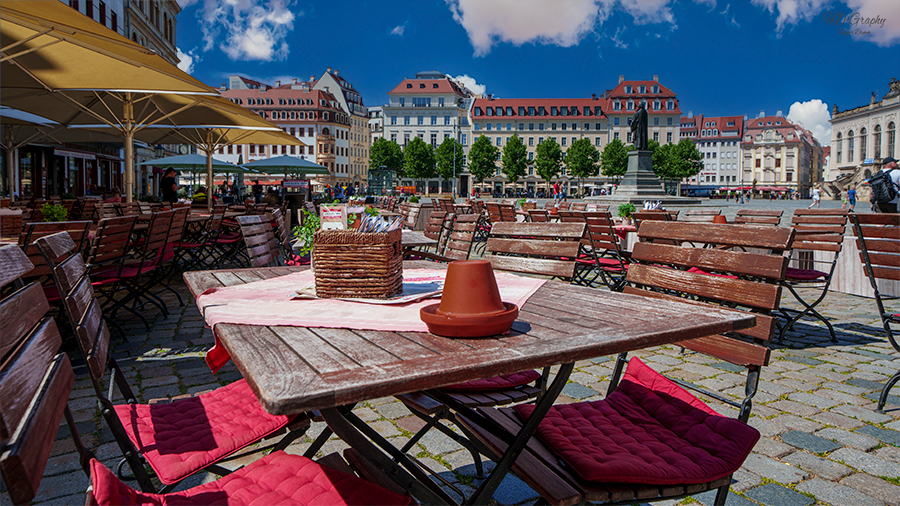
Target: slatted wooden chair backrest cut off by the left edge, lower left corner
{"x": 35, "y": 381}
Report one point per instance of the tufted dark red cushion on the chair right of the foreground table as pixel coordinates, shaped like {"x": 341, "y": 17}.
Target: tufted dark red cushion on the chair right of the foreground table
{"x": 649, "y": 430}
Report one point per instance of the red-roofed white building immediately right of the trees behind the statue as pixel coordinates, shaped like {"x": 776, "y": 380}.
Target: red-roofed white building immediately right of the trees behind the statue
{"x": 718, "y": 138}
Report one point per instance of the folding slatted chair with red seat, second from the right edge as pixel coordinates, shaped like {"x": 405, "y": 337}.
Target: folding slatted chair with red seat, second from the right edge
{"x": 820, "y": 236}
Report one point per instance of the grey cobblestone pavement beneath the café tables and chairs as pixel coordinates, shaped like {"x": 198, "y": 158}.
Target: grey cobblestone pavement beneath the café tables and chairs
{"x": 822, "y": 442}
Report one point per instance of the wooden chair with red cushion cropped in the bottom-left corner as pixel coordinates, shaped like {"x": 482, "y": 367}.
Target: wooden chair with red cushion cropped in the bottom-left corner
{"x": 35, "y": 384}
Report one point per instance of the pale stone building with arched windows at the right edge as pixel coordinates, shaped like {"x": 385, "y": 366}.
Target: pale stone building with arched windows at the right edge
{"x": 862, "y": 136}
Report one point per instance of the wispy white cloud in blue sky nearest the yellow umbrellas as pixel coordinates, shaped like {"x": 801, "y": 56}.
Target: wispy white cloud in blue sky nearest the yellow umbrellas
{"x": 248, "y": 29}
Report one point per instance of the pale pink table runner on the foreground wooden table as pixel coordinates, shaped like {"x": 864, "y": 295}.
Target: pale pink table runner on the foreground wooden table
{"x": 273, "y": 302}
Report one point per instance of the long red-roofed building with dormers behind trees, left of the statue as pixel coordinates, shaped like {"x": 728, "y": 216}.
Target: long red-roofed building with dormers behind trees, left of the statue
{"x": 535, "y": 120}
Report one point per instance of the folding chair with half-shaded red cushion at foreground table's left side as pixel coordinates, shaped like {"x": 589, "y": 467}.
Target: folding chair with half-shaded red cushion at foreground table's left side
{"x": 217, "y": 423}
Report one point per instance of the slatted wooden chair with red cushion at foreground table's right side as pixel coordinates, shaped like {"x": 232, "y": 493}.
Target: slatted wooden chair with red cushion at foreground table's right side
{"x": 649, "y": 439}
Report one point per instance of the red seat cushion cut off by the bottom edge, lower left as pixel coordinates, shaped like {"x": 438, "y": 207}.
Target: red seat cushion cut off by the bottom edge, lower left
{"x": 278, "y": 478}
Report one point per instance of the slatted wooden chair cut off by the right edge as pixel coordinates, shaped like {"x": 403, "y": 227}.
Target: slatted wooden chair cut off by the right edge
{"x": 878, "y": 240}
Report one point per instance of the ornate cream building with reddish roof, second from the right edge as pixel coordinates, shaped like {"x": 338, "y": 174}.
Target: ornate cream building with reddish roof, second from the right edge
{"x": 778, "y": 153}
